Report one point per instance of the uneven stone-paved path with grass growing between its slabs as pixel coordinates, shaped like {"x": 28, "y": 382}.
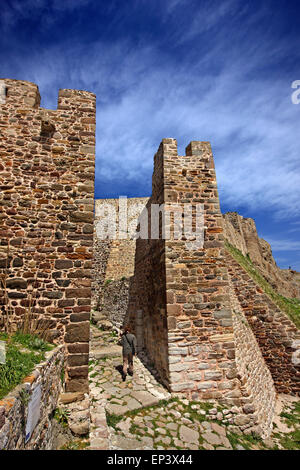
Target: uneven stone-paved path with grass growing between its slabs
{"x": 139, "y": 414}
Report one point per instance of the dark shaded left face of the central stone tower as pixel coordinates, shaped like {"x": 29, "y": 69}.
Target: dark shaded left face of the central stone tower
{"x": 148, "y": 294}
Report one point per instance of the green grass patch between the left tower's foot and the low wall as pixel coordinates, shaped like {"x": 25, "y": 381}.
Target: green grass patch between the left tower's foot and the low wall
{"x": 18, "y": 363}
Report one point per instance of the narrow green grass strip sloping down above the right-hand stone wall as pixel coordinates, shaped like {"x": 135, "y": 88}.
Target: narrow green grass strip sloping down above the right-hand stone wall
{"x": 290, "y": 306}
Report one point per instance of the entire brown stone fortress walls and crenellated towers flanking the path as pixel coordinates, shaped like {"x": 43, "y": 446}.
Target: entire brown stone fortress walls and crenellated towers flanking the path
{"x": 203, "y": 324}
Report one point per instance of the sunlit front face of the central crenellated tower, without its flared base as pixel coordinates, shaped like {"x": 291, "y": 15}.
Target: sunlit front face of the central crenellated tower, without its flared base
{"x": 200, "y": 338}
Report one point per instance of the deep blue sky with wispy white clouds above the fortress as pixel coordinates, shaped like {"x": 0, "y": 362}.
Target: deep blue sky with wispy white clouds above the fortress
{"x": 188, "y": 69}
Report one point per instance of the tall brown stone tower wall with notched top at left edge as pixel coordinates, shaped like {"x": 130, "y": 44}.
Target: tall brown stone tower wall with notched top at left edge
{"x": 46, "y": 214}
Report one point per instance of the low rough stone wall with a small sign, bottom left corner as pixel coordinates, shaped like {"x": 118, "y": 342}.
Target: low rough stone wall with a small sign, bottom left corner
{"x": 14, "y": 409}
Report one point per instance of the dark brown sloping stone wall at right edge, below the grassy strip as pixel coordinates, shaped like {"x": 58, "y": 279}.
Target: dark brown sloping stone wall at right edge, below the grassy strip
{"x": 277, "y": 336}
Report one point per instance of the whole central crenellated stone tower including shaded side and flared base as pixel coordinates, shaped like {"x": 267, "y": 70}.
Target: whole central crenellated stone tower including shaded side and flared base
{"x": 182, "y": 304}
